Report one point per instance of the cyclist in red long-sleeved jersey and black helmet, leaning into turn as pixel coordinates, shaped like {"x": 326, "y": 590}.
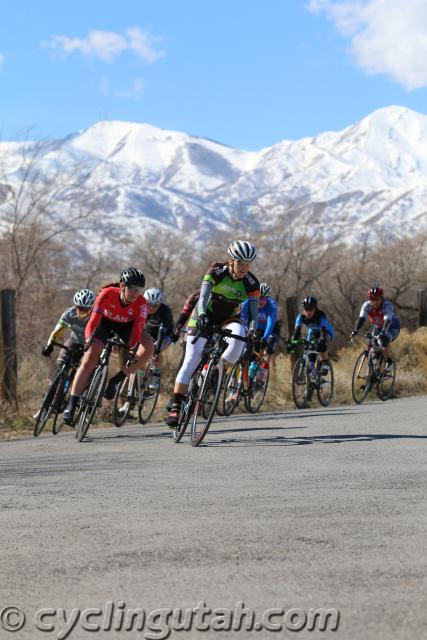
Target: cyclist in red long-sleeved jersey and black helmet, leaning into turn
{"x": 119, "y": 308}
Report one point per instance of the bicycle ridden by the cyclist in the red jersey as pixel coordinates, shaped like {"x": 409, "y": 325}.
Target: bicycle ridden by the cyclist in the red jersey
{"x": 92, "y": 399}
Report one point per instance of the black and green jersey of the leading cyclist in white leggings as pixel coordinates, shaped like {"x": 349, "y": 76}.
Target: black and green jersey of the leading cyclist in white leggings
{"x": 227, "y": 294}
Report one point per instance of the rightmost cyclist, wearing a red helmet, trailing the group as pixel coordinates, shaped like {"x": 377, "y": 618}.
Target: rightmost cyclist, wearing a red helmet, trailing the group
{"x": 380, "y": 313}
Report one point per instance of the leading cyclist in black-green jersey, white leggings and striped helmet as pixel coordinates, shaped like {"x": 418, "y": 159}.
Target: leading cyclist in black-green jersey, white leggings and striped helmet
{"x": 224, "y": 287}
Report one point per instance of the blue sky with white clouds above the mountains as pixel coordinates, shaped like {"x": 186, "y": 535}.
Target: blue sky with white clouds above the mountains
{"x": 244, "y": 72}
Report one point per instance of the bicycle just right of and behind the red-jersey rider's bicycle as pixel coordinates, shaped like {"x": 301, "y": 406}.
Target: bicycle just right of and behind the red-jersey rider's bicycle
{"x": 141, "y": 389}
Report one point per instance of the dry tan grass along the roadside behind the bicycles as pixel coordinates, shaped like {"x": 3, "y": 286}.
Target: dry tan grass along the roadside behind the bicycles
{"x": 410, "y": 350}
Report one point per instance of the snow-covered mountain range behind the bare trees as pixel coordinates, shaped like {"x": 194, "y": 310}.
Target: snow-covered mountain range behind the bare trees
{"x": 371, "y": 175}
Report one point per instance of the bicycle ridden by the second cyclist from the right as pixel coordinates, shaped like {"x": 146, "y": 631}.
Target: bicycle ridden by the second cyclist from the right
{"x": 309, "y": 376}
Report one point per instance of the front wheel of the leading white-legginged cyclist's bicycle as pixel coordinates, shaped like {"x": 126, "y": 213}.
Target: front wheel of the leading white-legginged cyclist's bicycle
{"x": 206, "y": 402}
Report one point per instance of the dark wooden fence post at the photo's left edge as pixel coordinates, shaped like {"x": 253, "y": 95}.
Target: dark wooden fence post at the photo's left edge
{"x": 9, "y": 368}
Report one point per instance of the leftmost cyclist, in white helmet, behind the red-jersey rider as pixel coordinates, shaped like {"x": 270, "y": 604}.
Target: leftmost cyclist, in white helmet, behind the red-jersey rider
{"x": 74, "y": 319}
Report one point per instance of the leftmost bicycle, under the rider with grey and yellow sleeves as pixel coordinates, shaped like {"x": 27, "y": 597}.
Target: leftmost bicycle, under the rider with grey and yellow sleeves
{"x": 55, "y": 398}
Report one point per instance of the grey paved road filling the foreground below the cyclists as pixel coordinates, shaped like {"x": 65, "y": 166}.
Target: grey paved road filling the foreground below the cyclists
{"x": 295, "y": 511}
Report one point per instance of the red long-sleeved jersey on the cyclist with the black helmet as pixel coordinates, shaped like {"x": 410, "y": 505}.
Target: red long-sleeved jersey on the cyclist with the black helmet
{"x": 109, "y": 306}
